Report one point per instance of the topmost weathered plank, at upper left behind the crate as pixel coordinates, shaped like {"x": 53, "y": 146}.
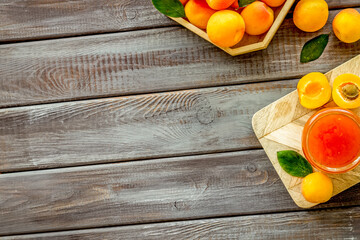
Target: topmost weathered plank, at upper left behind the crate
{"x": 26, "y": 20}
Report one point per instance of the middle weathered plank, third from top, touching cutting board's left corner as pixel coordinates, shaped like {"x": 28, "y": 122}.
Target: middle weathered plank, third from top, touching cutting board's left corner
{"x": 135, "y": 127}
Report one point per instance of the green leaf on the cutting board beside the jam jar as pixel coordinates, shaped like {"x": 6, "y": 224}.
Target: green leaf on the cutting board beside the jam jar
{"x": 294, "y": 164}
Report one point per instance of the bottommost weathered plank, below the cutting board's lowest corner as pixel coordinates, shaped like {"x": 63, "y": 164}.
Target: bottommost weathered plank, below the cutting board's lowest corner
{"x": 330, "y": 224}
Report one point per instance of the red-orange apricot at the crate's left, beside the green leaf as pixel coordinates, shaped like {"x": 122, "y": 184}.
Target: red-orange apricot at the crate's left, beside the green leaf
{"x": 198, "y": 12}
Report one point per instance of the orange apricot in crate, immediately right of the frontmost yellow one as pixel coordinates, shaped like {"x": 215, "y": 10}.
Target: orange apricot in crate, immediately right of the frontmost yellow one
{"x": 258, "y": 18}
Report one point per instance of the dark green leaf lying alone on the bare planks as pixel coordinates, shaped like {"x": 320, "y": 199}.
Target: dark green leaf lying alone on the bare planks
{"x": 313, "y": 48}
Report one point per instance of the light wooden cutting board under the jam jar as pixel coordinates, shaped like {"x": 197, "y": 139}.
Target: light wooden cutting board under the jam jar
{"x": 279, "y": 126}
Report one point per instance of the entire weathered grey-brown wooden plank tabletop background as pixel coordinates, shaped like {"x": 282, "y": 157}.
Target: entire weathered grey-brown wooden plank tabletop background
{"x": 162, "y": 92}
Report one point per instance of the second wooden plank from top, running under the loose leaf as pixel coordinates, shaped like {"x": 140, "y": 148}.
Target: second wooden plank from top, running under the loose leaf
{"x": 149, "y": 61}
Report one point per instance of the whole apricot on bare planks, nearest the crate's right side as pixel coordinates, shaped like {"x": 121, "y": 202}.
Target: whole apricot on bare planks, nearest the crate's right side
{"x": 311, "y": 15}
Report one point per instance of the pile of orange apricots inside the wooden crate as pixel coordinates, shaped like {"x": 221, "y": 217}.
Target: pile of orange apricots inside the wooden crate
{"x": 226, "y": 23}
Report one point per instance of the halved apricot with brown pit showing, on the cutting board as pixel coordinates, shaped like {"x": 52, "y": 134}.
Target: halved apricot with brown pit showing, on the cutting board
{"x": 346, "y": 91}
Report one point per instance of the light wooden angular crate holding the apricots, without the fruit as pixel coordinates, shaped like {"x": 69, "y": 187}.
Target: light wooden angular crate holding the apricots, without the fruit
{"x": 248, "y": 43}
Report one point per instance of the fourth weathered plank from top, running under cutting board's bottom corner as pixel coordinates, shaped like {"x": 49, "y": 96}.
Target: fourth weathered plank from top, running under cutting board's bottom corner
{"x": 225, "y": 184}
